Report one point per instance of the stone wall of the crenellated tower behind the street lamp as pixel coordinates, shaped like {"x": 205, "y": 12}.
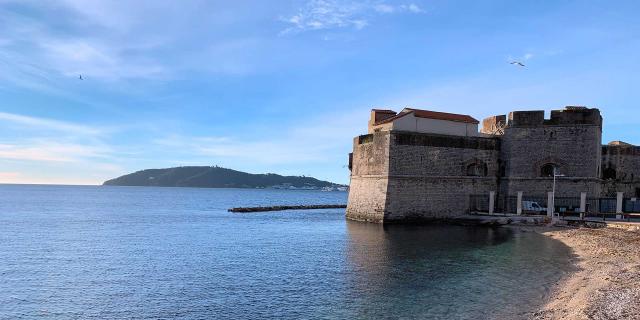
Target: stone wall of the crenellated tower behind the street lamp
{"x": 575, "y": 149}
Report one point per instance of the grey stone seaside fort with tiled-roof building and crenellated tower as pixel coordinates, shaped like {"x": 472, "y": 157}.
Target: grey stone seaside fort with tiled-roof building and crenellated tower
{"x": 423, "y": 165}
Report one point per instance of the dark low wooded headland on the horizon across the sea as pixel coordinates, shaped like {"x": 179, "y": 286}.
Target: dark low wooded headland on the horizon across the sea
{"x": 218, "y": 177}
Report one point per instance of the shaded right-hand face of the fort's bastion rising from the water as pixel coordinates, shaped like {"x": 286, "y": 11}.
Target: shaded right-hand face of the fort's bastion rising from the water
{"x": 428, "y": 177}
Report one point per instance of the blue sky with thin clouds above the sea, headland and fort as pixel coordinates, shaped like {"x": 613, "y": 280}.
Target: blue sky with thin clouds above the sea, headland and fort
{"x": 284, "y": 86}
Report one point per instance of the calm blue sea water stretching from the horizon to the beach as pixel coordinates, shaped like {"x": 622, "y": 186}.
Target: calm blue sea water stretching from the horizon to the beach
{"x": 69, "y": 252}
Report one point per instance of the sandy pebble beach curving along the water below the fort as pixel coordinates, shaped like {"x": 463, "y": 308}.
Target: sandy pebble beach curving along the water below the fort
{"x": 606, "y": 284}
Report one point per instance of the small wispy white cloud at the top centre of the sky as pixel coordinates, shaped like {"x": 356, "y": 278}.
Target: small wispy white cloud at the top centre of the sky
{"x": 332, "y": 14}
